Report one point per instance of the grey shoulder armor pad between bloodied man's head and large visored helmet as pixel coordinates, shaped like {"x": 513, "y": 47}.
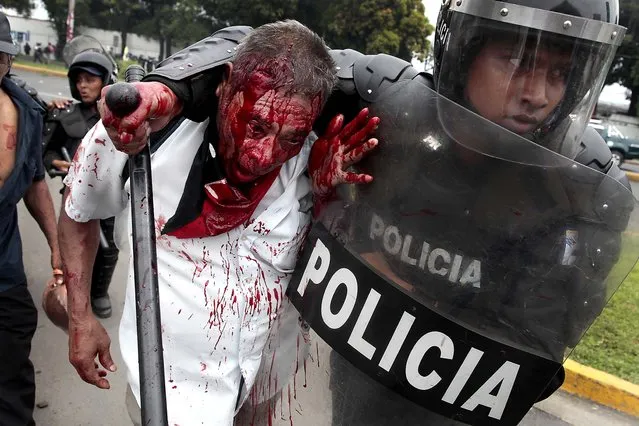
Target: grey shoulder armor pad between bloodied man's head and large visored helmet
{"x": 372, "y": 74}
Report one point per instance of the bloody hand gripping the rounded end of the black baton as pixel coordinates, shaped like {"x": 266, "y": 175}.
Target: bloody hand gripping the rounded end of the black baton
{"x": 158, "y": 105}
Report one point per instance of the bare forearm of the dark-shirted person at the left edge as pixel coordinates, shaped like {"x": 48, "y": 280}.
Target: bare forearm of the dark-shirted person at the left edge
{"x": 38, "y": 201}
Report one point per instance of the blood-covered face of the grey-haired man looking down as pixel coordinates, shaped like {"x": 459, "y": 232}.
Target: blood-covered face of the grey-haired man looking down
{"x": 260, "y": 126}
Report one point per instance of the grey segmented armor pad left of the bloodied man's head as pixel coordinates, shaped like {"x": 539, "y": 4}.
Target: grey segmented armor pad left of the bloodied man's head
{"x": 208, "y": 53}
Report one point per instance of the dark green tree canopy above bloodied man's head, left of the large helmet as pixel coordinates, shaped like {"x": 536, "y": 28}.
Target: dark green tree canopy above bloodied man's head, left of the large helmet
{"x": 396, "y": 27}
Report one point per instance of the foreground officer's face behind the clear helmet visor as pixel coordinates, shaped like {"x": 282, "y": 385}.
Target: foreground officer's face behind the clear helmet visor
{"x": 517, "y": 87}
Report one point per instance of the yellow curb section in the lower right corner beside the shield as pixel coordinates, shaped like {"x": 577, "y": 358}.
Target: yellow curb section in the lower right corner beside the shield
{"x": 602, "y": 388}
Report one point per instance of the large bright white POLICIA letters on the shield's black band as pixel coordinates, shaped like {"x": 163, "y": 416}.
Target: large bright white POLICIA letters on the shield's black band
{"x": 315, "y": 273}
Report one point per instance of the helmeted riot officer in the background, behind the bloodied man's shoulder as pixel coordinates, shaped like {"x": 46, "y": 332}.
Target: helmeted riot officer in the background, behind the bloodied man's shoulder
{"x": 65, "y": 126}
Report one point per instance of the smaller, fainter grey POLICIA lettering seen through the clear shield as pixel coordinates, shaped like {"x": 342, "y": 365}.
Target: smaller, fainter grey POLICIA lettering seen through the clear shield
{"x": 434, "y": 260}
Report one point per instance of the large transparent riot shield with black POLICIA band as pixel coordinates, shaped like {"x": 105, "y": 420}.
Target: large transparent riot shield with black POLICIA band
{"x": 452, "y": 288}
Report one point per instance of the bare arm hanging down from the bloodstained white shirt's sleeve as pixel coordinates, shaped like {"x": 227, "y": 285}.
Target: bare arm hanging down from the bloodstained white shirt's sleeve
{"x": 87, "y": 337}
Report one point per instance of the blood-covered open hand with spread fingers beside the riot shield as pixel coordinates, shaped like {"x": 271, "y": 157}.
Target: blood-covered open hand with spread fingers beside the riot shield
{"x": 339, "y": 148}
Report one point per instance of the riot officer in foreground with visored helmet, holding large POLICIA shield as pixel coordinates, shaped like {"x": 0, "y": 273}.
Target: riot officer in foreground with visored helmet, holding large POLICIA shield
{"x": 452, "y": 288}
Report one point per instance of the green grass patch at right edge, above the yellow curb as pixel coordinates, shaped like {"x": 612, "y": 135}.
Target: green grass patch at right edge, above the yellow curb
{"x": 612, "y": 343}
